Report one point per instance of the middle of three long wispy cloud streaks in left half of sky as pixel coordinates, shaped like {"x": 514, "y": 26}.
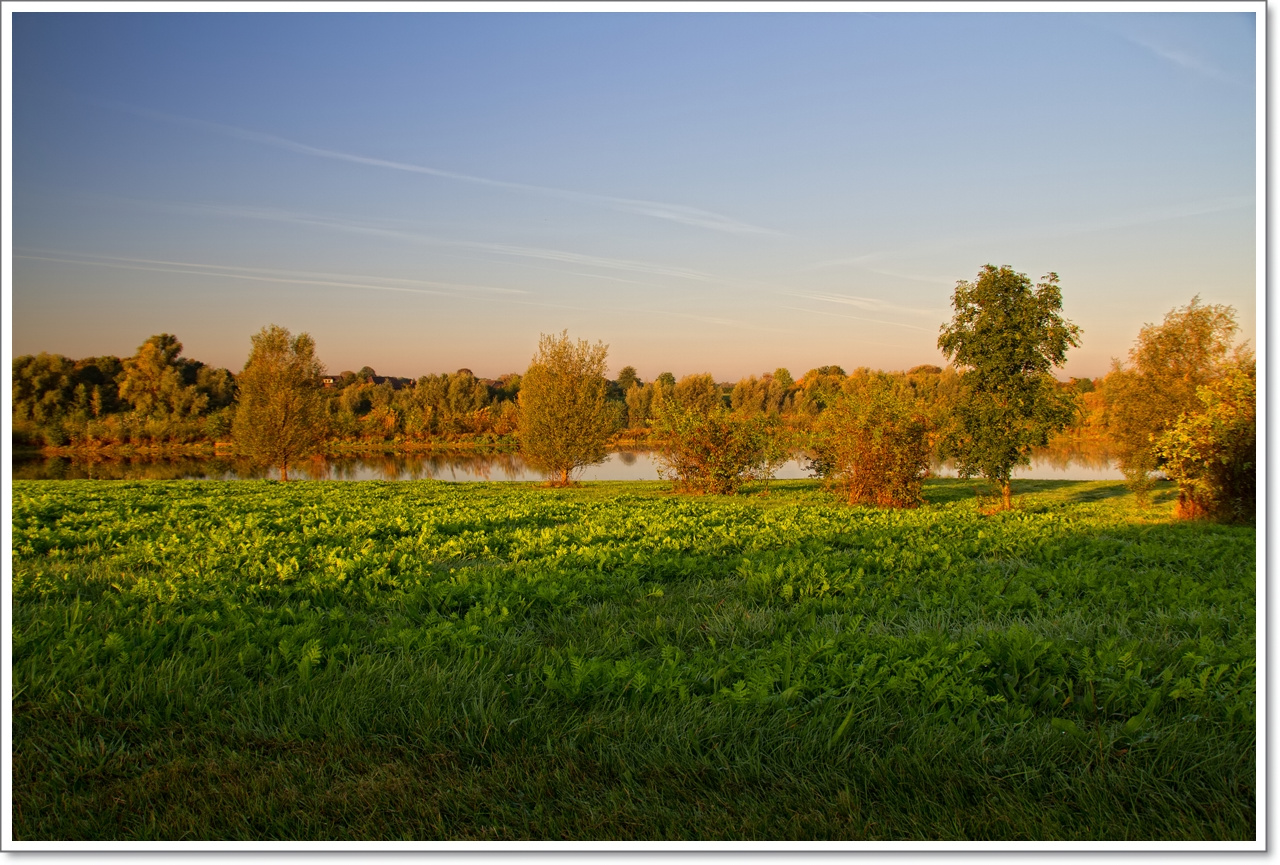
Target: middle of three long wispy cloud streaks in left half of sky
{"x": 508, "y": 250}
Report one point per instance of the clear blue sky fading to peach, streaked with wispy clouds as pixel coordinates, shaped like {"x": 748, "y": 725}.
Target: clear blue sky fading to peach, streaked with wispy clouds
{"x": 705, "y": 193}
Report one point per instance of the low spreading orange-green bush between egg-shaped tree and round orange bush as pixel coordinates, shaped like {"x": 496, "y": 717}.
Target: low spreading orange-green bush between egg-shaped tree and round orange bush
{"x": 712, "y": 450}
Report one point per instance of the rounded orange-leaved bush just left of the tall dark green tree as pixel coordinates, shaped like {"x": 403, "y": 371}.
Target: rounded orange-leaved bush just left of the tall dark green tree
{"x": 872, "y": 445}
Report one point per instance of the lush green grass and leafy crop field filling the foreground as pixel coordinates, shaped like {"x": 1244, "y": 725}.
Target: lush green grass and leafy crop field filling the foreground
{"x": 429, "y": 661}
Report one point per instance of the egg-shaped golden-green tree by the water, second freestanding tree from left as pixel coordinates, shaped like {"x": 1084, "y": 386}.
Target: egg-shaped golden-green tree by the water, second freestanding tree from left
{"x": 565, "y": 417}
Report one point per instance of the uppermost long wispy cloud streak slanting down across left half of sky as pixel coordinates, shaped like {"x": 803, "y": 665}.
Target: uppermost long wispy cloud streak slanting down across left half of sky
{"x": 682, "y": 214}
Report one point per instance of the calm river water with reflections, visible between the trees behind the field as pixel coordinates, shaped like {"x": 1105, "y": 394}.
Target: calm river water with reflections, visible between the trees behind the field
{"x": 1058, "y": 464}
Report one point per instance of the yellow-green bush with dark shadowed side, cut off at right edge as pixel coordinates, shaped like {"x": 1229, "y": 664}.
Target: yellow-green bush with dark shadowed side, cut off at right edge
{"x": 1212, "y": 454}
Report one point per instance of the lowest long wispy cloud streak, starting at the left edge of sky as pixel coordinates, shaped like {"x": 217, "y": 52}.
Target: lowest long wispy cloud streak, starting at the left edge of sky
{"x": 269, "y": 276}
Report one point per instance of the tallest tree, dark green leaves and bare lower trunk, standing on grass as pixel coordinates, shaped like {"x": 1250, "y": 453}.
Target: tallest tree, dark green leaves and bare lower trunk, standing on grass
{"x": 1007, "y": 337}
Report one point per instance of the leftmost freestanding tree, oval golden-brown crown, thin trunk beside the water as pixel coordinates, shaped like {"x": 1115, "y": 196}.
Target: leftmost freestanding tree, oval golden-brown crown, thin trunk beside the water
{"x": 281, "y": 417}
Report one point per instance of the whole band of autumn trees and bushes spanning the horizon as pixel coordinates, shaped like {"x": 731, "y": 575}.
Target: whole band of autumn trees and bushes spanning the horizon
{"x": 1183, "y": 404}
